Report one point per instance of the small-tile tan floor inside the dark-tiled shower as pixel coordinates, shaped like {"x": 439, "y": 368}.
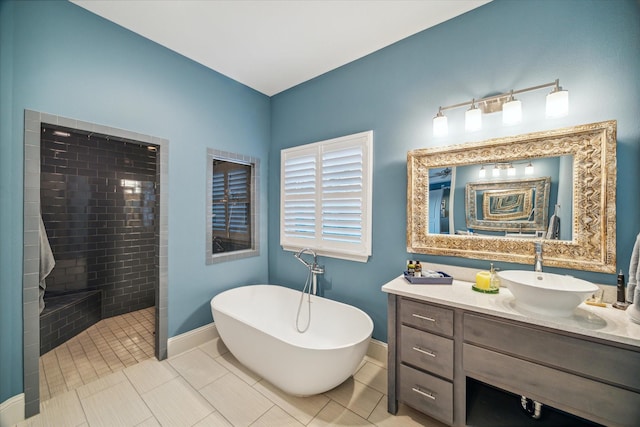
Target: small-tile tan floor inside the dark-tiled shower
{"x": 106, "y": 347}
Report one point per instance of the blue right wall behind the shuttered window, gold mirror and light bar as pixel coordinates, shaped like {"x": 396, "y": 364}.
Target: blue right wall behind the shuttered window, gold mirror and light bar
{"x": 593, "y": 47}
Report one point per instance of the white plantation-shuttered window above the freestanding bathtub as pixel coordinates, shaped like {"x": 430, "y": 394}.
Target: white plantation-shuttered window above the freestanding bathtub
{"x": 326, "y": 197}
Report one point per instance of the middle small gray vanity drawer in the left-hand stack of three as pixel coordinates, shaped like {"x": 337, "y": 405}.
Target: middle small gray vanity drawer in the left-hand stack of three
{"x": 426, "y": 351}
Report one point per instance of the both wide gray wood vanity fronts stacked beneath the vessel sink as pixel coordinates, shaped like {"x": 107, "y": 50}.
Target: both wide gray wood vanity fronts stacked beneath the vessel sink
{"x": 596, "y": 380}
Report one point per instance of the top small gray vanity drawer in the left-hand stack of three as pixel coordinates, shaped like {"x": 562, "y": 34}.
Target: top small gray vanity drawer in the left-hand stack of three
{"x": 426, "y": 317}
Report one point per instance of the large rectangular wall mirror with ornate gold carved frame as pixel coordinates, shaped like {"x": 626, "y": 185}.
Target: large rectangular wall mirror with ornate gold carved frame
{"x": 587, "y": 192}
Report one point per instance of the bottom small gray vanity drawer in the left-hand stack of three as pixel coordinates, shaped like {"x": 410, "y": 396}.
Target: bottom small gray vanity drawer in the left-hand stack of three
{"x": 426, "y": 393}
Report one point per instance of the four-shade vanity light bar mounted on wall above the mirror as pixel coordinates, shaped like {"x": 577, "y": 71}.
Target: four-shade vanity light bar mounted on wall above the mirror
{"x": 557, "y": 105}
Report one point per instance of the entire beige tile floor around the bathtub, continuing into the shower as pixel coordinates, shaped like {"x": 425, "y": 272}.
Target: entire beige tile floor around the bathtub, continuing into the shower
{"x": 207, "y": 386}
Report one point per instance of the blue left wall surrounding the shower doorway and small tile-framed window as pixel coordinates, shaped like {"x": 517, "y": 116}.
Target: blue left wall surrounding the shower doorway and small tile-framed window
{"x": 58, "y": 58}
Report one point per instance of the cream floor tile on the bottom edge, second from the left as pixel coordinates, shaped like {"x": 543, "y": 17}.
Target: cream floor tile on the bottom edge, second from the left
{"x": 118, "y": 405}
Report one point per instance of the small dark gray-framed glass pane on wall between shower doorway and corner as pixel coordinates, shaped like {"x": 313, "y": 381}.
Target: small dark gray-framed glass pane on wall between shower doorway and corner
{"x": 231, "y": 206}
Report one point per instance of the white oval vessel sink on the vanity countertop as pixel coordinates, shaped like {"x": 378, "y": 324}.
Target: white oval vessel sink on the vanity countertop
{"x": 547, "y": 293}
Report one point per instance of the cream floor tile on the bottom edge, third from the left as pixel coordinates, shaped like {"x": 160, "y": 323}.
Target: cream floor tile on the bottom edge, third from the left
{"x": 176, "y": 403}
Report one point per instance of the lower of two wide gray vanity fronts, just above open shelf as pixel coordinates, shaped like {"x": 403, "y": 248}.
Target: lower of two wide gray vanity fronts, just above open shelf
{"x": 600, "y": 402}
